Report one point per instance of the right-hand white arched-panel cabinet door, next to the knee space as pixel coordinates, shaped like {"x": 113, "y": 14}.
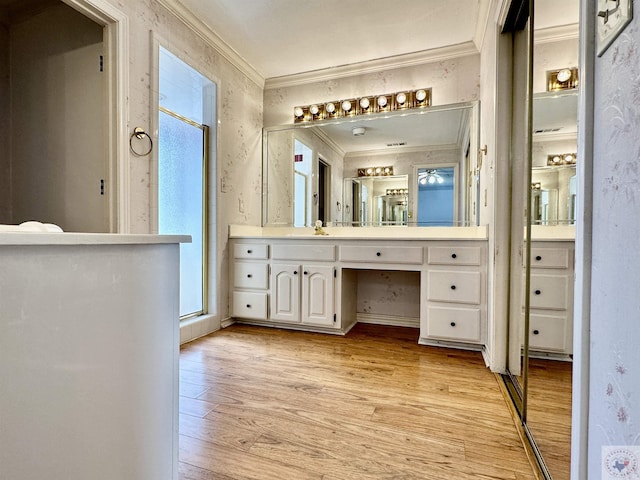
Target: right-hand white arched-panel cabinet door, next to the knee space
{"x": 317, "y": 295}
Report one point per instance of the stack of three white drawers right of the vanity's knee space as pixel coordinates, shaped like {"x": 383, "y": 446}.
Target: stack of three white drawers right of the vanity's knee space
{"x": 454, "y": 309}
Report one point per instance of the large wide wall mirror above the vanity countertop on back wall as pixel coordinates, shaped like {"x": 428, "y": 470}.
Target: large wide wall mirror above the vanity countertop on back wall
{"x": 410, "y": 168}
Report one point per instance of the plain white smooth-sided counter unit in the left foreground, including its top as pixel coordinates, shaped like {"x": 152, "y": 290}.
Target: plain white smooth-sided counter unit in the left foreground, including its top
{"x": 89, "y": 356}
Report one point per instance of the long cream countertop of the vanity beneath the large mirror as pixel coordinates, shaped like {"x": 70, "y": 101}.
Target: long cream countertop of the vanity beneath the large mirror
{"x": 360, "y": 233}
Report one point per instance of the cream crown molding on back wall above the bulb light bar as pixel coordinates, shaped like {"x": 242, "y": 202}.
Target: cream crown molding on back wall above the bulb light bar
{"x": 373, "y": 66}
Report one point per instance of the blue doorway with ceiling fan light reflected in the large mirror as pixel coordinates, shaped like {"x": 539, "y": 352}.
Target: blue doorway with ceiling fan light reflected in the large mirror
{"x": 436, "y": 196}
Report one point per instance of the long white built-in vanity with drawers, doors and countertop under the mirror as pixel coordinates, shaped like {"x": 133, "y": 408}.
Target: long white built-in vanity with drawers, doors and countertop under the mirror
{"x": 301, "y": 281}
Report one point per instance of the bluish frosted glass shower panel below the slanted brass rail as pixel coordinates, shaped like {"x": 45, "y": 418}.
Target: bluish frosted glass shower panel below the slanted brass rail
{"x": 180, "y": 202}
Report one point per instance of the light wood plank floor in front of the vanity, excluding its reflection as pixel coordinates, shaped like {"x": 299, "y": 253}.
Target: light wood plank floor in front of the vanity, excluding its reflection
{"x": 261, "y": 403}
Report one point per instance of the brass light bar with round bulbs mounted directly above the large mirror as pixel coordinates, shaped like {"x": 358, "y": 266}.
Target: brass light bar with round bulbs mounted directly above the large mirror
{"x": 352, "y": 107}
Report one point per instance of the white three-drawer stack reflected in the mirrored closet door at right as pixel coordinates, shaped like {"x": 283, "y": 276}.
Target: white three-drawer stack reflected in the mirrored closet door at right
{"x": 551, "y": 297}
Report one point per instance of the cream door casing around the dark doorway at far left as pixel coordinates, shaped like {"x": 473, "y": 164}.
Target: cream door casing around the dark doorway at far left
{"x": 116, "y": 35}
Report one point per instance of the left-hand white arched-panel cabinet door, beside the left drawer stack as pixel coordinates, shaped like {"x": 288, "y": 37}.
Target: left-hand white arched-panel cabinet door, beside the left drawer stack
{"x": 285, "y": 292}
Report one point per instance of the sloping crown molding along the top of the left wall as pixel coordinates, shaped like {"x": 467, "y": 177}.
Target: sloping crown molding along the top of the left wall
{"x": 212, "y": 39}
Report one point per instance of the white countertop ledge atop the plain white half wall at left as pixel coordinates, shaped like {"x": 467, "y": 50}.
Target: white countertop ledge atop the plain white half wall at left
{"x": 69, "y": 238}
